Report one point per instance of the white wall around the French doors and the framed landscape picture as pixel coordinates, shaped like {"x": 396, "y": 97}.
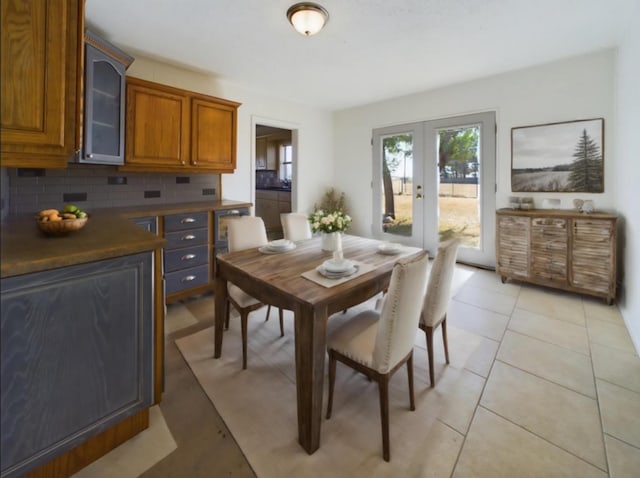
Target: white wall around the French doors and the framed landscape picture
{"x": 577, "y": 88}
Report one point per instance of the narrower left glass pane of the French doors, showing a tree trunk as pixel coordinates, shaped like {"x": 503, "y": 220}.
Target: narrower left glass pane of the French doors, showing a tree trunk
{"x": 397, "y": 184}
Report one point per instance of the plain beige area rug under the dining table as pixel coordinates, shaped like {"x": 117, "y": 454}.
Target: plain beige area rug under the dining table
{"x": 259, "y": 404}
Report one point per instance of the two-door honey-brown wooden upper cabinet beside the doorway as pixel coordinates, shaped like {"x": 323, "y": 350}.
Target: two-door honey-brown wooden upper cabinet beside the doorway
{"x": 173, "y": 130}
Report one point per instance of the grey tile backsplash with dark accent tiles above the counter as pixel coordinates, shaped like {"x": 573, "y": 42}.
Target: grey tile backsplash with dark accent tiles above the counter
{"x": 94, "y": 187}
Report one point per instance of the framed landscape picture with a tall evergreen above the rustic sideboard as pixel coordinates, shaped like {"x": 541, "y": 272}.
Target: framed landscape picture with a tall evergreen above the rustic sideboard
{"x": 558, "y": 157}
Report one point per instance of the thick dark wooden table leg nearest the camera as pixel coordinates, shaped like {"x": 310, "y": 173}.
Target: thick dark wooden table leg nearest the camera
{"x": 310, "y": 340}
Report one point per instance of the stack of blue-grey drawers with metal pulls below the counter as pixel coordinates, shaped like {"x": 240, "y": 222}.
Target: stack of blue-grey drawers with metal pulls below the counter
{"x": 187, "y": 254}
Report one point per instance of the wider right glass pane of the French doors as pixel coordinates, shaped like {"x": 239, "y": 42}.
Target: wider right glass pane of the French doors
{"x": 458, "y": 190}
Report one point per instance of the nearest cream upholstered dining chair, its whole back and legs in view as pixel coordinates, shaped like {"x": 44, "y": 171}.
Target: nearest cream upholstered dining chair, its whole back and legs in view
{"x": 378, "y": 342}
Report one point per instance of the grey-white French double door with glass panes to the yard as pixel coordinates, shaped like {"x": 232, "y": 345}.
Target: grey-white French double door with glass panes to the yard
{"x": 435, "y": 180}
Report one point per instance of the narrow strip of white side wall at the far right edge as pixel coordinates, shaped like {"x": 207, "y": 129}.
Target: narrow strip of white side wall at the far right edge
{"x": 627, "y": 186}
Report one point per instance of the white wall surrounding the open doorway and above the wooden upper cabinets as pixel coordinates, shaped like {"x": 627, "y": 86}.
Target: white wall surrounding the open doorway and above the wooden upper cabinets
{"x": 314, "y": 165}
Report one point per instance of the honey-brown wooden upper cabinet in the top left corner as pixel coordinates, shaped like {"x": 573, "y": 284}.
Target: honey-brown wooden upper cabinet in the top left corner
{"x": 41, "y": 52}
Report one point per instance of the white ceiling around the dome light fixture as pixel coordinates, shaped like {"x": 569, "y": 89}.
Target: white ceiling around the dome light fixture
{"x": 370, "y": 49}
